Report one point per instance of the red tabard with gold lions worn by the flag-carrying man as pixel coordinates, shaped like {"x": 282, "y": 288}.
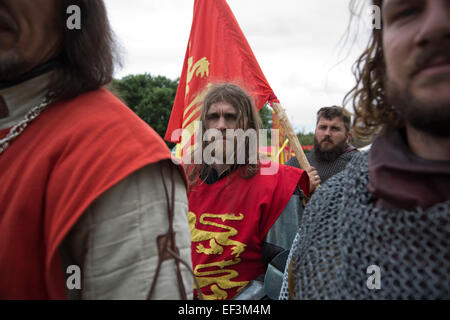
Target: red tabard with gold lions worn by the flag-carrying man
{"x": 235, "y": 214}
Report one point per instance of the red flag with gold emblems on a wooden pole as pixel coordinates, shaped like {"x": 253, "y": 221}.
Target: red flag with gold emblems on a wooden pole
{"x": 217, "y": 38}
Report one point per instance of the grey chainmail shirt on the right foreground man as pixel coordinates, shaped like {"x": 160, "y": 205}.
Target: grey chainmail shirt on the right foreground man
{"x": 343, "y": 233}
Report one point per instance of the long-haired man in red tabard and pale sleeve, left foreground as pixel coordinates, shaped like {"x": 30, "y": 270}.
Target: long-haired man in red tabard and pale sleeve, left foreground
{"x": 90, "y": 201}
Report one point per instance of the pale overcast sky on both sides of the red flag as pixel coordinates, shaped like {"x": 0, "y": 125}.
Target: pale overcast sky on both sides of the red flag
{"x": 297, "y": 43}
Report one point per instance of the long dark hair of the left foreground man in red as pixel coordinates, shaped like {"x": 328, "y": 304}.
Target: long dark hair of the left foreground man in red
{"x": 88, "y": 56}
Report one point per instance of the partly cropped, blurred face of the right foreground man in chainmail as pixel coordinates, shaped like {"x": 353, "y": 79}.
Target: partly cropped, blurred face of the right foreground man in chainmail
{"x": 416, "y": 46}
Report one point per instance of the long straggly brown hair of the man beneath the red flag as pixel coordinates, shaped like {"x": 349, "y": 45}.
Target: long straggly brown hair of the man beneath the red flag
{"x": 247, "y": 118}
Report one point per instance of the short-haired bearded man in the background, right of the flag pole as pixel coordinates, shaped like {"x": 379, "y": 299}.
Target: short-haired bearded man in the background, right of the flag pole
{"x": 331, "y": 151}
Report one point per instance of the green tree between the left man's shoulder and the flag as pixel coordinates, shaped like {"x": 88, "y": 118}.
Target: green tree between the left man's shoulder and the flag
{"x": 150, "y": 97}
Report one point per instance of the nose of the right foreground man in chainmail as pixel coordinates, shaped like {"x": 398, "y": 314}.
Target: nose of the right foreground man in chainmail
{"x": 436, "y": 24}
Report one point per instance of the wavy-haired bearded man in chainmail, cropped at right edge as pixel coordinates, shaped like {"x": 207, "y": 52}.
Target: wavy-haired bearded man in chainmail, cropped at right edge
{"x": 380, "y": 229}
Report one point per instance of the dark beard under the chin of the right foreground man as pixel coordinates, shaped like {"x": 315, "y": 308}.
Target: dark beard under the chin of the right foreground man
{"x": 426, "y": 116}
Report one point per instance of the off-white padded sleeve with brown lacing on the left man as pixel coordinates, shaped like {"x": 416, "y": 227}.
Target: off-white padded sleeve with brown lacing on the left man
{"x": 115, "y": 245}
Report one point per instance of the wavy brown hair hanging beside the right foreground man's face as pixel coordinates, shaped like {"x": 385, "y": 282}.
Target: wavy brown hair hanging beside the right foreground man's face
{"x": 372, "y": 113}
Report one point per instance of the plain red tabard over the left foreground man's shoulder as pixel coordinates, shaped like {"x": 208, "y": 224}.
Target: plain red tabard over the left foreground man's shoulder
{"x": 65, "y": 159}
